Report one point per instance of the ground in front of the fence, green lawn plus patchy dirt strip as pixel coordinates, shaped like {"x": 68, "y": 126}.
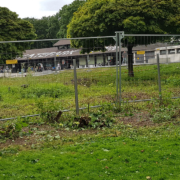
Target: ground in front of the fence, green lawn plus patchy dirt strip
{"x": 129, "y": 149}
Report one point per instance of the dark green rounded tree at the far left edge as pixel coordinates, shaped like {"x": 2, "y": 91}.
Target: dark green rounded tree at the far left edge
{"x": 13, "y": 28}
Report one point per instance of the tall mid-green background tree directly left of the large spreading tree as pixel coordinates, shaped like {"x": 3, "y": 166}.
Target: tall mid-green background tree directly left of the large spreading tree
{"x": 65, "y": 16}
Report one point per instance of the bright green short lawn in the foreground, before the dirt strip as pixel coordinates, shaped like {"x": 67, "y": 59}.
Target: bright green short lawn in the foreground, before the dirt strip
{"x": 149, "y": 153}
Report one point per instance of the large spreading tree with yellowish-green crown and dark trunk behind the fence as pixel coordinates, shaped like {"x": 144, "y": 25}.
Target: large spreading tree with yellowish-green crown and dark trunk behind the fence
{"x": 104, "y": 17}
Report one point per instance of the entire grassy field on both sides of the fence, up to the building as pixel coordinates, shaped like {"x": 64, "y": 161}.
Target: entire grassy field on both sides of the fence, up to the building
{"x": 138, "y": 141}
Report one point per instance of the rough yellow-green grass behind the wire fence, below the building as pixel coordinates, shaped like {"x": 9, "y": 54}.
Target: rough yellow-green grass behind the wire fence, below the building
{"x": 95, "y": 86}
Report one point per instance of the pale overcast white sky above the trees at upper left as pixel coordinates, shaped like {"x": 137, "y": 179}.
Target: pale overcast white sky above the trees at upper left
{"x": 34, "y": 8}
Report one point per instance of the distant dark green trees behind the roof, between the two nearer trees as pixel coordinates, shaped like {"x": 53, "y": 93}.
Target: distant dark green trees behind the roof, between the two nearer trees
{"x": 55, "y": 26}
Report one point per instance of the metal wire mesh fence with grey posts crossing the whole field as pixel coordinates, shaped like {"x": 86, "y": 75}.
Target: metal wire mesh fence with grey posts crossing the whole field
{"x": 105, "y": 70}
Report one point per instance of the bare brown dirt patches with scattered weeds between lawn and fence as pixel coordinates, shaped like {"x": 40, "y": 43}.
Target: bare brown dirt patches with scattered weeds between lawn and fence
{"x": 41, "y": 133}
